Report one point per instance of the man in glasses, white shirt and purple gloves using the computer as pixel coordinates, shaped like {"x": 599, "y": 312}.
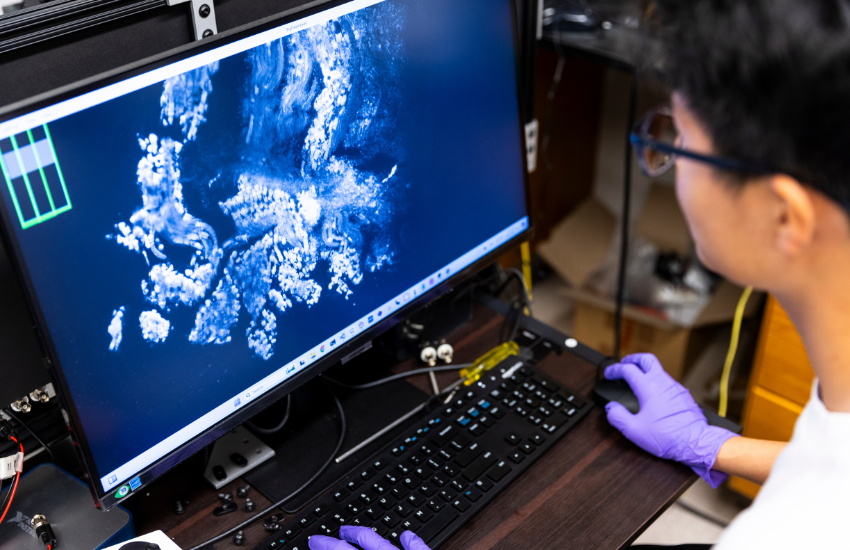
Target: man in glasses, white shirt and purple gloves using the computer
{"x": 759, "y": 131}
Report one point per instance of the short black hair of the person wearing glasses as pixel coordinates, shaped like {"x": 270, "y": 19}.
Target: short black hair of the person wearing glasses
{"x": 770, "y": 79}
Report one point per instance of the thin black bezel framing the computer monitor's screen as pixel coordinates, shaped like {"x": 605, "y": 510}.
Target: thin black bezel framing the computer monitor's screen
{"x": 106, "y": 499}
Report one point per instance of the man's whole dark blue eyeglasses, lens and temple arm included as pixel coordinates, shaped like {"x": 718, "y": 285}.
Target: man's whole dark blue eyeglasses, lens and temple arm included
{"x": 655, "y": 140}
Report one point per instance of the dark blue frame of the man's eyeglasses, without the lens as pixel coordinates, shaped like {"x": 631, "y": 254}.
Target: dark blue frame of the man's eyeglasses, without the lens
{"x": 640, "y": 141}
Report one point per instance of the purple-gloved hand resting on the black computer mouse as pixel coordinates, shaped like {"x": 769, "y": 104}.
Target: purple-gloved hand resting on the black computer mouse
{"x": 670, "y": 424}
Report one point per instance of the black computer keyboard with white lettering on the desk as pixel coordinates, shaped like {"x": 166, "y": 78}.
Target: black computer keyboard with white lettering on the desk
{"x": 454, "y": 461}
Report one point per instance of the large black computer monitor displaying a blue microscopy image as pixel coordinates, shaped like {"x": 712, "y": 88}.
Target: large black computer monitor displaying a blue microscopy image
{"x": 202, "y": 232}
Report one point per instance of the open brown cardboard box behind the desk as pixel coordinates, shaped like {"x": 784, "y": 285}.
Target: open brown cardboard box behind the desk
{"x": 582, "y": 242}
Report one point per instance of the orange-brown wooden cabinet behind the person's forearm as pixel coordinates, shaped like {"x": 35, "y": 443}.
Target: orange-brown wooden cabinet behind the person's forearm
{"x": 780, "y": 384}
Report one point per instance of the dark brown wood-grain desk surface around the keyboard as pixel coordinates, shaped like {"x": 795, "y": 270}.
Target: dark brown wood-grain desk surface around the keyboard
{"x": 594, "y": 489}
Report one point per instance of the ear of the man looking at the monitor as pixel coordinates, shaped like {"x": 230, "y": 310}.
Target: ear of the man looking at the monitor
{"x": 795, "y": 216}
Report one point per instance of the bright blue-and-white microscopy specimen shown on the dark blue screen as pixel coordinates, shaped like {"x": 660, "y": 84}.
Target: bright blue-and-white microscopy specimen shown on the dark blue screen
{"x": 319, "y": 107}
